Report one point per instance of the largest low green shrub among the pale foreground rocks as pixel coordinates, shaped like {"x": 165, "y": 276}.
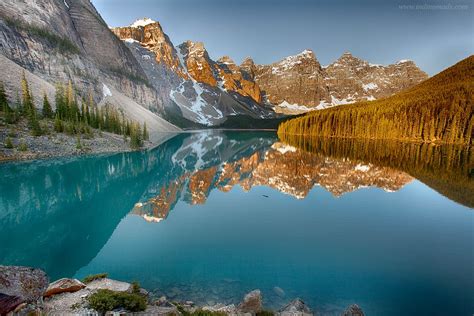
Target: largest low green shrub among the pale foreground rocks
{"x": 107, "y": 300}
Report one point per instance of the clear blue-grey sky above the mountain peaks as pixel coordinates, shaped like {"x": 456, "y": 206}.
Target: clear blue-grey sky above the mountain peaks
{"x": 435, "y": 34}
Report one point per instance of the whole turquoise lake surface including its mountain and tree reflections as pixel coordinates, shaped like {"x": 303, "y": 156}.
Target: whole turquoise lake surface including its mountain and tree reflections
{"x": 209, "y": 216}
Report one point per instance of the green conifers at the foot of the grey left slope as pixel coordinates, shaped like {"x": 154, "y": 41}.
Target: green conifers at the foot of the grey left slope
{"x": 71, "y": 116}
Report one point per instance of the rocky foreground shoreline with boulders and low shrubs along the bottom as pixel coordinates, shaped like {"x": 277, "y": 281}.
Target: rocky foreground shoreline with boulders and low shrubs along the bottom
{"x": 27, "y": 291}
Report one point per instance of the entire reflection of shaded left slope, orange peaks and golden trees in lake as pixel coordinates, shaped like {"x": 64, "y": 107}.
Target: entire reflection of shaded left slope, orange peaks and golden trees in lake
{"x": 58, "y": 214}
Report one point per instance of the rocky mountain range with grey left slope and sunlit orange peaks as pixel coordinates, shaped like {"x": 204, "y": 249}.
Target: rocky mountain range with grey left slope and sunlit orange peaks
{"x": 138, "y": 69}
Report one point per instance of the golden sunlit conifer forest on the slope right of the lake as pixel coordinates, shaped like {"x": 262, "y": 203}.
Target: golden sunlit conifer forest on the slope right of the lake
{"x": 437, "y": 110}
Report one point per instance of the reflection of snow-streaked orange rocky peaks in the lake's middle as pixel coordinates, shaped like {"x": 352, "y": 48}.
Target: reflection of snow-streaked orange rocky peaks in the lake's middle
{"x": 279, "y": 166}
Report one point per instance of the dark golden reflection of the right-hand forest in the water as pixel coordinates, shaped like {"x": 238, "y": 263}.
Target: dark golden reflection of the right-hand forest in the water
{"x": 447, "y": 169}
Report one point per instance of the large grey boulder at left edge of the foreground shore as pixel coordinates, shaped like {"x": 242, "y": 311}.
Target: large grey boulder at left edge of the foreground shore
{"x": 27, "y": 284}
